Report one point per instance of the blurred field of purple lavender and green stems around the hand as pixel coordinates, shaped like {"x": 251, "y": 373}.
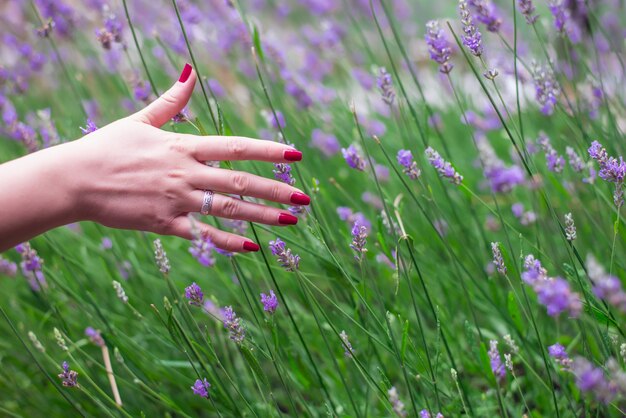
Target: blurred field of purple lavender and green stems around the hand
{"x": 462, "y": 255}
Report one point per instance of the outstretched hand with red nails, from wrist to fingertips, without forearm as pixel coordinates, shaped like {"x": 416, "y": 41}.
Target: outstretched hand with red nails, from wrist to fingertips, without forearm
{"x": 132, "y": 175}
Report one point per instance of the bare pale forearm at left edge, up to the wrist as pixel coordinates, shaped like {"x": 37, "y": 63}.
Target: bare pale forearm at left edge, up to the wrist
{"x": 37, "y": 193}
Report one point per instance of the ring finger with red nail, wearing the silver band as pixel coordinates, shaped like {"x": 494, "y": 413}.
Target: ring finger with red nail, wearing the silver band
{"x": 234, "y": 208}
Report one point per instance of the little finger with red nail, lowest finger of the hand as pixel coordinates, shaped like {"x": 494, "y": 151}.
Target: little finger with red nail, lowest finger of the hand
{"x": 182, "y": 227}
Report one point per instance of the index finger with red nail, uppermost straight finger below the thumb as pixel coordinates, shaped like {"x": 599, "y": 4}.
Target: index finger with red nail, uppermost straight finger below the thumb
{"x": 224, "y": 148}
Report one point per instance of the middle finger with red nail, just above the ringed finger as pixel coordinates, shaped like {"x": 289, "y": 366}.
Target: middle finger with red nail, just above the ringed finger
{"x": 245, "y": 184}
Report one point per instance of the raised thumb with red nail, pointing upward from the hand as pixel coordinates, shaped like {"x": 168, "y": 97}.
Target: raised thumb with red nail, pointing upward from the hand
{"x": 171, "y": 102}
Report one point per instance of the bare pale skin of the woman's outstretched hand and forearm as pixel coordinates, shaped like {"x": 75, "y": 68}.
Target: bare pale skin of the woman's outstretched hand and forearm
{"x": 132, "y": 175}
